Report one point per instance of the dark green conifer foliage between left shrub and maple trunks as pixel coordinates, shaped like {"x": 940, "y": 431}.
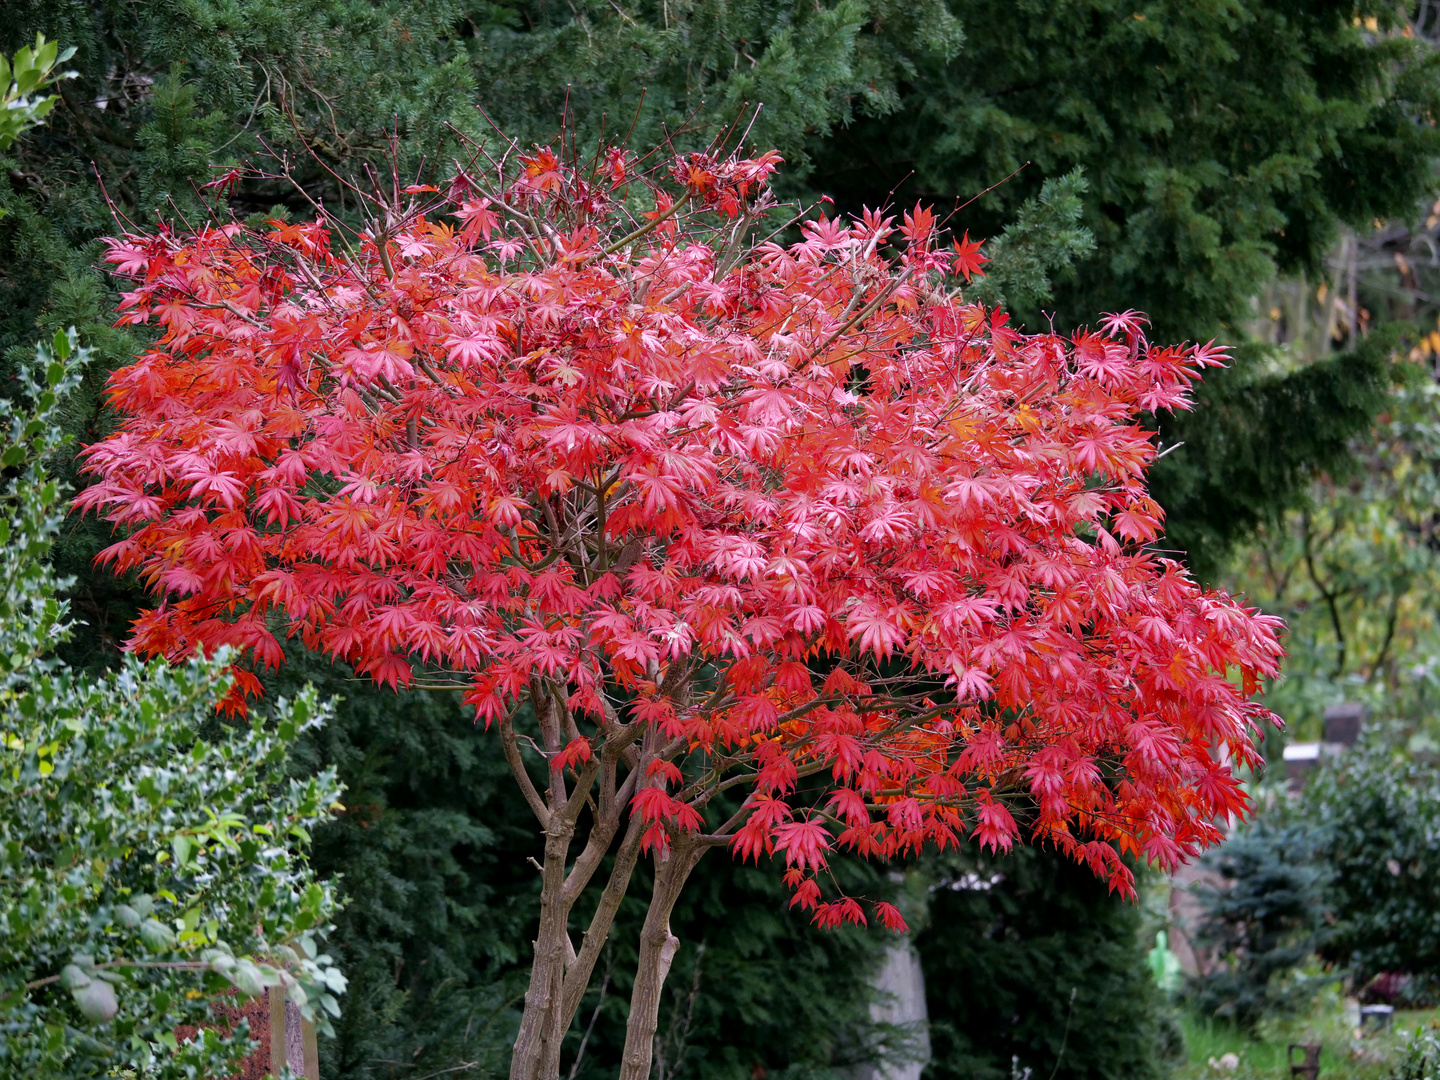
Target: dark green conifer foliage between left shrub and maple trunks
{"x": 431, "y": 855}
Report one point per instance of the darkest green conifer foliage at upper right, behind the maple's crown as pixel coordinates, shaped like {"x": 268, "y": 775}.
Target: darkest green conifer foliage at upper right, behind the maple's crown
{"x": 1222, "y": 143}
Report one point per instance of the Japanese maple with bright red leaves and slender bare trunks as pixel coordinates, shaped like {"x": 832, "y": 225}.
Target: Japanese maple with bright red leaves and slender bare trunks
{"x": 689, "y": 512}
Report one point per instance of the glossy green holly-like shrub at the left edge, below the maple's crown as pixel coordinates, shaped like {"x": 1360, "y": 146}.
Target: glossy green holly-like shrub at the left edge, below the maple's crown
{"x": 152, "y": 858}
